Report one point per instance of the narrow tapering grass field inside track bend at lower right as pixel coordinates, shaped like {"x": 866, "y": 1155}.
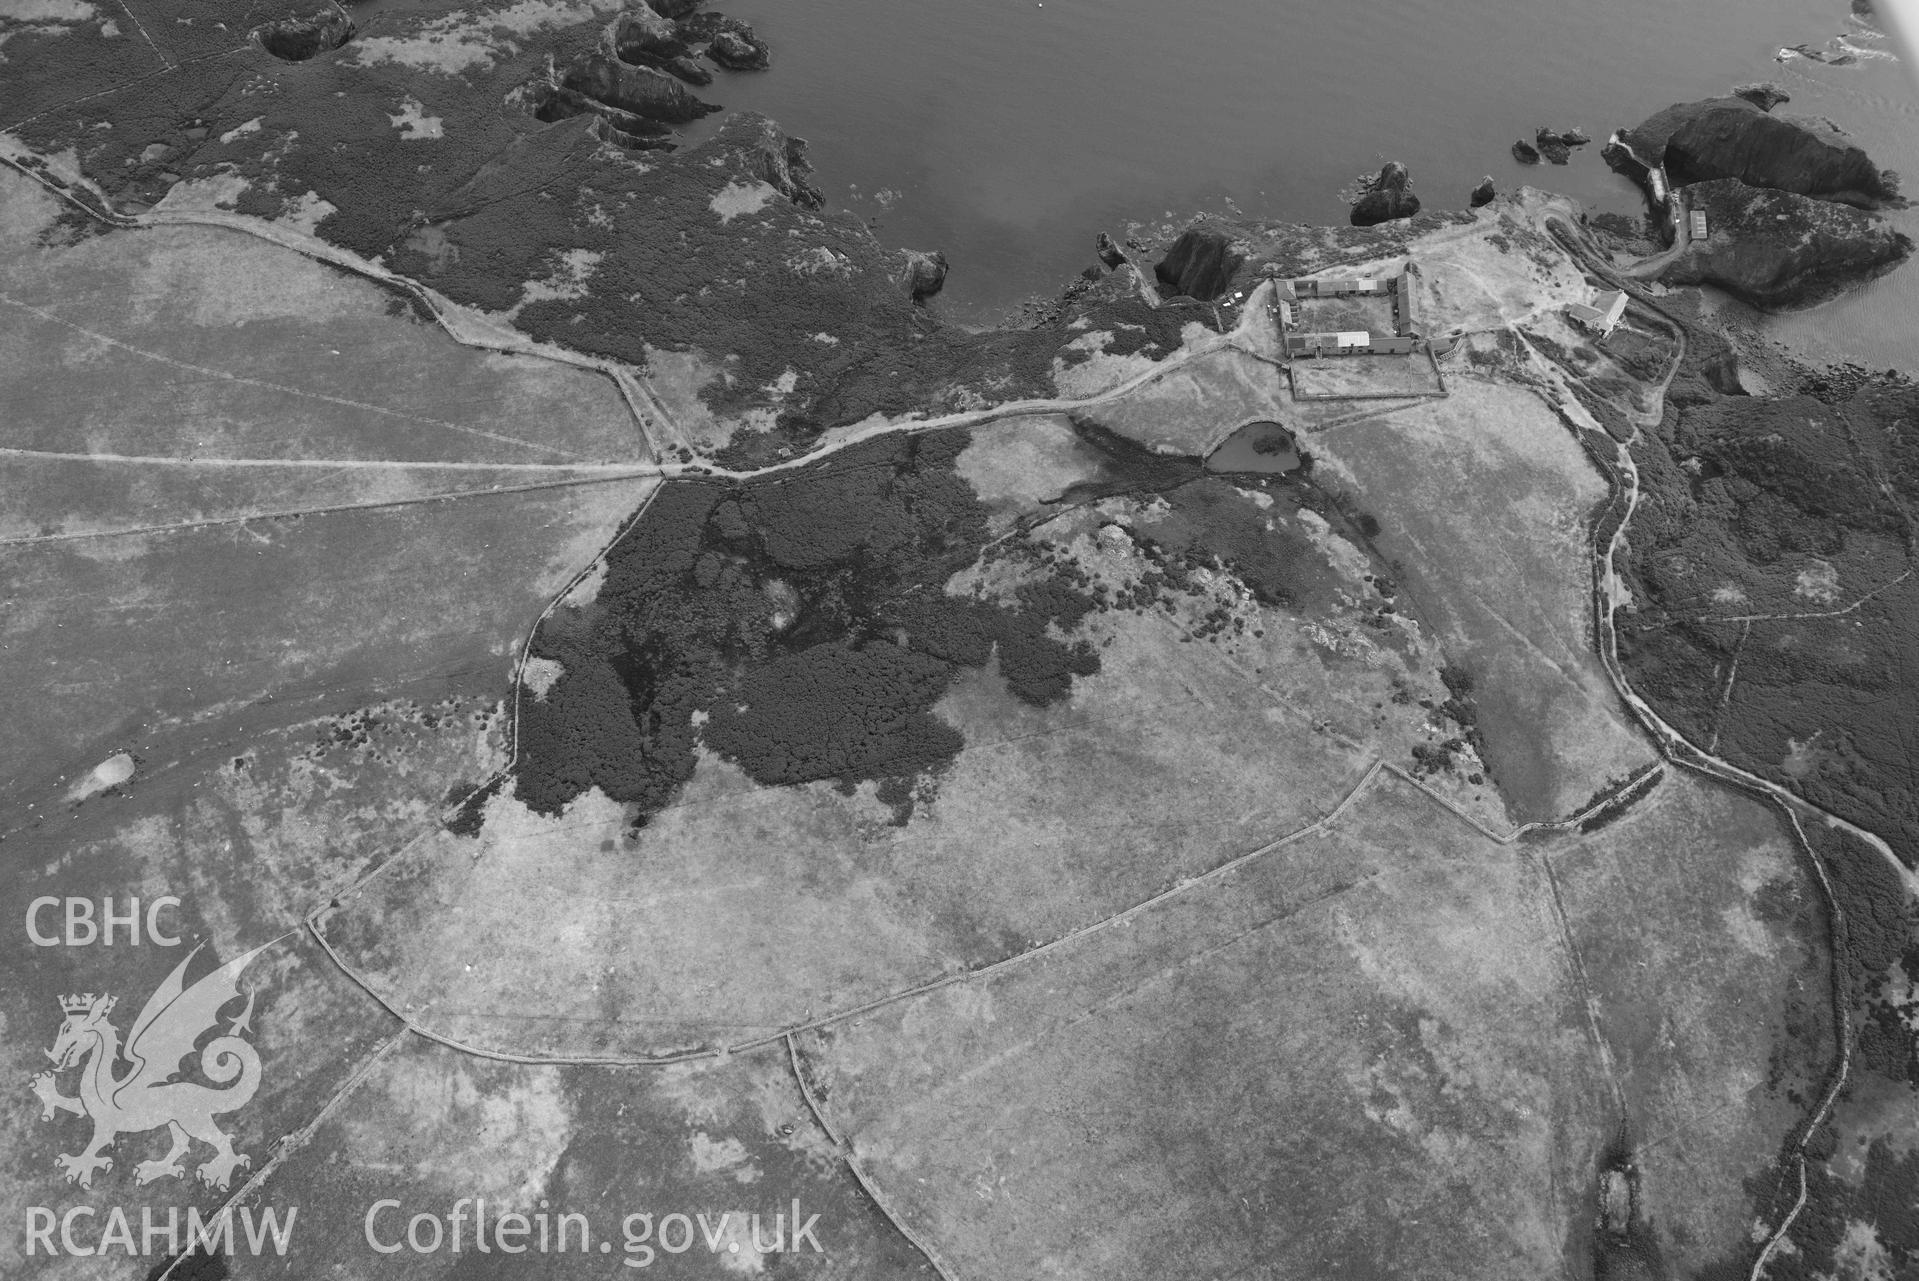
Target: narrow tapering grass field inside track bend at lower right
{"x": 1705, "y": 944}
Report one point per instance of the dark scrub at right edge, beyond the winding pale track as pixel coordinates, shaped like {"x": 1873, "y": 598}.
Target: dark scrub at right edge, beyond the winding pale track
{"x": 1747, "y": 492}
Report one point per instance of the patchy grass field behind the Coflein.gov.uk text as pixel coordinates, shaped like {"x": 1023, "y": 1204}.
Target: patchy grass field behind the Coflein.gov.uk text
{"x": 728, "y": 1142}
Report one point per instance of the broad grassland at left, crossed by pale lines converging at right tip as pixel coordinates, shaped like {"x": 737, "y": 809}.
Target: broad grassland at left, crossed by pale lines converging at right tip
{"x": 187, "y": 358}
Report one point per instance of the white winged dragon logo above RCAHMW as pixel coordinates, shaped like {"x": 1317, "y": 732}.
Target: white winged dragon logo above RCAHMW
{"x": 147, "y": 1096}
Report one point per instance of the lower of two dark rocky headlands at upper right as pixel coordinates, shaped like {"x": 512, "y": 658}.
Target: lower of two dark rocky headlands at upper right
{"x": 1782, "y": 250}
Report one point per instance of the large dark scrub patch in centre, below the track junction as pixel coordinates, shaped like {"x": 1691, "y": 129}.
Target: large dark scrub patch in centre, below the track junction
{"x": 797, "y": 626}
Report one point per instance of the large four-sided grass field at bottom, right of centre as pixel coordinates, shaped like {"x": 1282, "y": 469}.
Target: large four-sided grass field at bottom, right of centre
{"x": 1354, "y": 1058}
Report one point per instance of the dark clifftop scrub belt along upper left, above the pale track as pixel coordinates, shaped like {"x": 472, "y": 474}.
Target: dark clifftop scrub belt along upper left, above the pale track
{"x": 492, "y": 204}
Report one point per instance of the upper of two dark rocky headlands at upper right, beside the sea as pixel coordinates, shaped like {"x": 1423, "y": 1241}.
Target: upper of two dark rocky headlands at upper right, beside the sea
{"x": 1736, "y": 139}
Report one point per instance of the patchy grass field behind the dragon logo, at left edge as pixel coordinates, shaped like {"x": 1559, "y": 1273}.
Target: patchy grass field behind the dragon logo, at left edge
{"x": 247, "y": 845}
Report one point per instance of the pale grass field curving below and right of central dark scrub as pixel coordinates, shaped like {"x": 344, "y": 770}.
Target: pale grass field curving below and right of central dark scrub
{"x": 1218, "y": 722}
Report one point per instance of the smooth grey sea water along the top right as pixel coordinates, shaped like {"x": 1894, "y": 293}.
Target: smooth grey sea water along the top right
{"x": 1008, "y": 133}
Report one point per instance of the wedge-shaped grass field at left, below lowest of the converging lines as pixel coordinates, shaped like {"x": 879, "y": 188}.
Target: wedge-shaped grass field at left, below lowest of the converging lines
{"x": 124, "y": 643}
